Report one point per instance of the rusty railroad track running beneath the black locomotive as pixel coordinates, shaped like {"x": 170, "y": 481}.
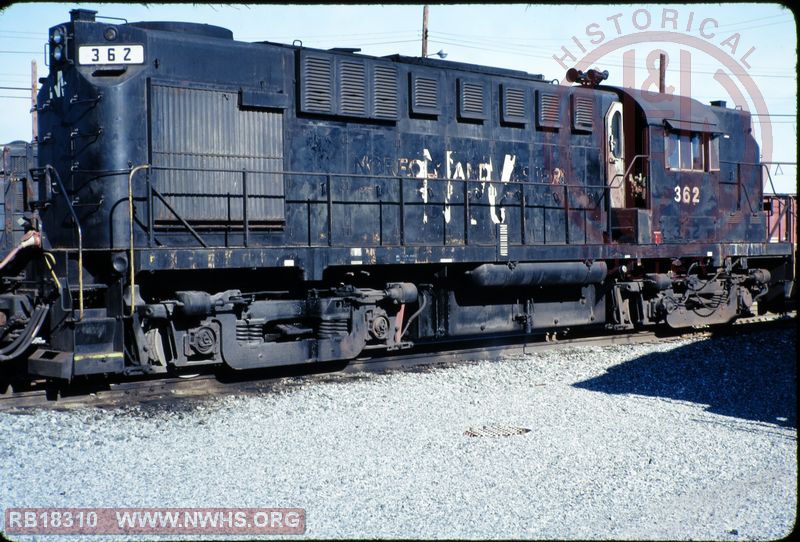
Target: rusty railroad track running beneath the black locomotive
{"x": 159, "y": 389}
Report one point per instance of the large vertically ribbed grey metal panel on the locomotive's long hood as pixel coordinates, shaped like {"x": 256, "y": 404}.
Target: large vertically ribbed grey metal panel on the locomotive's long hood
{"x": 205, "y": 130}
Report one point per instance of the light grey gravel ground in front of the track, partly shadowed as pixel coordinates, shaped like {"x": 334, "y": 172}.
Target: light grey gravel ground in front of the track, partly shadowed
{"x": 686, "y": 439}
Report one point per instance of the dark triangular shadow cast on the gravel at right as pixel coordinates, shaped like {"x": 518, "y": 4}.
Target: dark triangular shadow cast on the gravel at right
{"x": 759, "y": 384}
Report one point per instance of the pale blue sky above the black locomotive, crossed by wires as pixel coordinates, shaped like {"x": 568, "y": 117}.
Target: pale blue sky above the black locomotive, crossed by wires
{"x": 745, "y": 54}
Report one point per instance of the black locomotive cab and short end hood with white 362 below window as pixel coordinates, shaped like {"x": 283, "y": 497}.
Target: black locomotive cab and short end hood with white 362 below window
{"x": 675, "y": 173}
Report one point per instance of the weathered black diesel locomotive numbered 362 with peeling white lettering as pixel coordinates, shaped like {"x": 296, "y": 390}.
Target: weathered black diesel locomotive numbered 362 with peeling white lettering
{"x": 192, "y": 200}
